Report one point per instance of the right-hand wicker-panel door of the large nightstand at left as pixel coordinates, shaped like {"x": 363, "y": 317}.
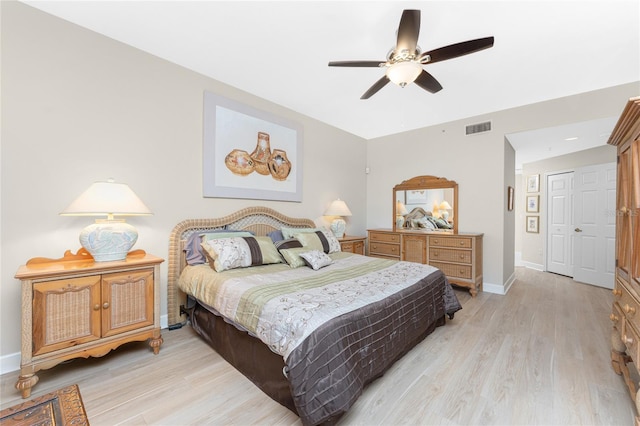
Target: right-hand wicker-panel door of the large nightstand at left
{"x": 127, "y": 301}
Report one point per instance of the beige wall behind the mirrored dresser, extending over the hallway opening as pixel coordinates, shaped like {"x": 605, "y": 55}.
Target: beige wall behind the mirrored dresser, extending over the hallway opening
{"x": 481, "y": 165}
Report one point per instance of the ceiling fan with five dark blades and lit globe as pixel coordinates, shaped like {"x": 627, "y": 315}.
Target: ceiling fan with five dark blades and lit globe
{"x": 404, "y": 62}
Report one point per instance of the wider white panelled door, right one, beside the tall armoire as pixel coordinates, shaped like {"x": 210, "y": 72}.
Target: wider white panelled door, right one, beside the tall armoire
{"x": 595, "y": 225}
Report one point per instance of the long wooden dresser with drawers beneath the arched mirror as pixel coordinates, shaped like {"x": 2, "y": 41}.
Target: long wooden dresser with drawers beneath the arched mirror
{"x": 459, "y": 256}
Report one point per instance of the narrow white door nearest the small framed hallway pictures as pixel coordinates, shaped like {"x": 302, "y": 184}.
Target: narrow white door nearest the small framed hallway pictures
{"x": 560, "y": 223}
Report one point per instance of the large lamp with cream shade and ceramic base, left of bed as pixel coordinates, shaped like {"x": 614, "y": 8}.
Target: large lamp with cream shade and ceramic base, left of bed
{"x": 108, "y": 239}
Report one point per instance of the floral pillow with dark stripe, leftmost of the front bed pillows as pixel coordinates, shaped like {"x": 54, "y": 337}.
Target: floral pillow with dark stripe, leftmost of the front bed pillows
{"x": 240, "y": 252}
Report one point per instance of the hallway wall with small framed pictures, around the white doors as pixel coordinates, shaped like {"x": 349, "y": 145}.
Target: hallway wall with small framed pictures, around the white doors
{"x": 533, "y": 244}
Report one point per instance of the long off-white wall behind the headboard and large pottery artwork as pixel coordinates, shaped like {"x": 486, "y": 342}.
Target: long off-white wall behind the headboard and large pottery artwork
{"x": 78, "y": 107}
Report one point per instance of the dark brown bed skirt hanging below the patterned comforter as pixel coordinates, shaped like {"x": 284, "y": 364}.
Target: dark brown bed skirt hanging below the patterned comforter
{"x": 255, "y": 360}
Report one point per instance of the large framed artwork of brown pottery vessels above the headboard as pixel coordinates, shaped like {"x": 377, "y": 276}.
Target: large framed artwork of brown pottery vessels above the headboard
{"x": 249, "y": 153}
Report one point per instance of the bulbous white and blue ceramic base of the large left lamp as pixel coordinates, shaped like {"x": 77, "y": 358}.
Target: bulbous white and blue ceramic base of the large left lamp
{"x": 108, "y": 240}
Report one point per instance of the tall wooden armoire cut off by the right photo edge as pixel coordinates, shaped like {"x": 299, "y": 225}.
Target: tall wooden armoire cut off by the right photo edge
{"x": 625, "y": 315}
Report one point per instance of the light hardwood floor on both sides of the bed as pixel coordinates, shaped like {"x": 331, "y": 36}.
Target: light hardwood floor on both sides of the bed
{"x": 537, "y": 356}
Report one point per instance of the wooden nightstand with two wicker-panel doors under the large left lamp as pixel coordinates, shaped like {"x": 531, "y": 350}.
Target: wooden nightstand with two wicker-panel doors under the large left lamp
{"x": 75, "y": 307}
